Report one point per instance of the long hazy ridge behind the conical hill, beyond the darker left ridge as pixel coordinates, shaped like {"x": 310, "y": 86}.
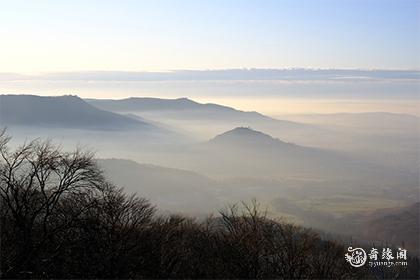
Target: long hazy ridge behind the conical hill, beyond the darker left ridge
{"x": 205, "y": 120}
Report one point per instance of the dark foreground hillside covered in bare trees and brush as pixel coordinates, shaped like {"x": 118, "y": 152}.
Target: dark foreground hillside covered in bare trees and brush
{"x": 61, "y": 219}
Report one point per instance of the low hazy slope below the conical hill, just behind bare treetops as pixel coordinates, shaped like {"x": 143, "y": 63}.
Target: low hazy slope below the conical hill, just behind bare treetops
{"x": 171, "y": 189}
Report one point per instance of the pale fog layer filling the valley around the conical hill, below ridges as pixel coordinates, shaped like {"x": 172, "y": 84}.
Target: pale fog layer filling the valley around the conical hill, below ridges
{"x": 323, "y": 171}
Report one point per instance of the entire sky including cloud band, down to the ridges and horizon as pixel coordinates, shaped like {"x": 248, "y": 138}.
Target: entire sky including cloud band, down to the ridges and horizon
{"x": 221, "y": 51}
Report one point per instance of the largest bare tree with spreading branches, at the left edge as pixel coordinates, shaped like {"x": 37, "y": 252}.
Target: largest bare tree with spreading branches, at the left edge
{"x": 34, "y": 180}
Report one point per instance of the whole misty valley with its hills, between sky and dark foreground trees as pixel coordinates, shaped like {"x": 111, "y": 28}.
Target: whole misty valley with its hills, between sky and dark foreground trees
{"x": 348, "y": 176}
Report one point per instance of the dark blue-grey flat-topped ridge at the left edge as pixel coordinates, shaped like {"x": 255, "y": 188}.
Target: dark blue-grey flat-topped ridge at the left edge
{"x": 61, "y": 111}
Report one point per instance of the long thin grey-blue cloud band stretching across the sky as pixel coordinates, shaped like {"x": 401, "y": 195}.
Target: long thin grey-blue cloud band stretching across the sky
{"x": 224, "y": 75}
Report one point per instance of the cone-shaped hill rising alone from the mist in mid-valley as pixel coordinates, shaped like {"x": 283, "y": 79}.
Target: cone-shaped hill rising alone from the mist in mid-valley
{"x": 244, "y": 151}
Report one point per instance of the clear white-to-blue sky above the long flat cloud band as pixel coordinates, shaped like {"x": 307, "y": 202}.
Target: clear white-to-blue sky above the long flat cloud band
{"x": 54, "y": 36}
